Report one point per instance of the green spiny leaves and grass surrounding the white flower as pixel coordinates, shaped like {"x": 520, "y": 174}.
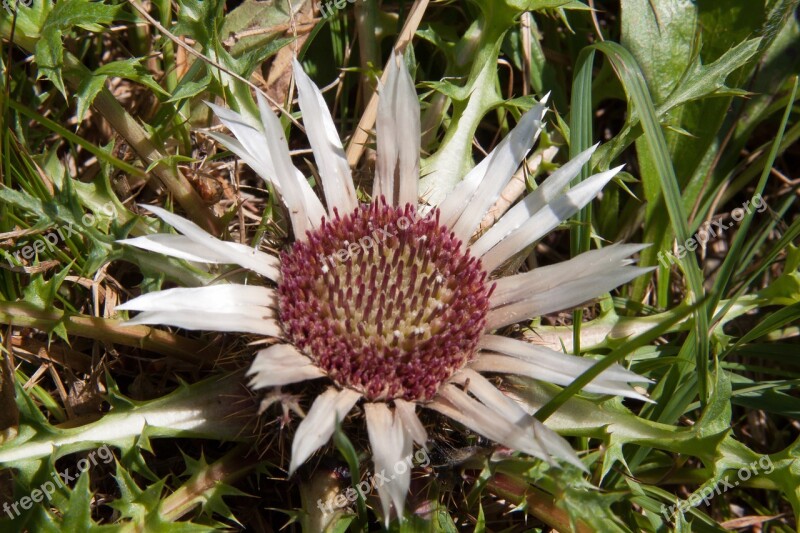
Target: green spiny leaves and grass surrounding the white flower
{"x": 698, "y": 99}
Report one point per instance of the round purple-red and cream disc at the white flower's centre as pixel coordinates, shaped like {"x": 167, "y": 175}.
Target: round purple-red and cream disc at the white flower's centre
{"x": 384, "y": 301}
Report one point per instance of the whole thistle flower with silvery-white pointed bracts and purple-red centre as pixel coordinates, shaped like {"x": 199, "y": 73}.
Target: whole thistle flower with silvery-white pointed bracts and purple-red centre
{"x": 390, "y": 306}
